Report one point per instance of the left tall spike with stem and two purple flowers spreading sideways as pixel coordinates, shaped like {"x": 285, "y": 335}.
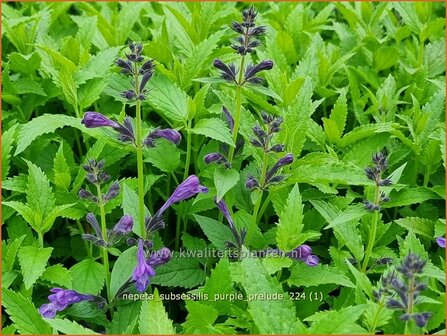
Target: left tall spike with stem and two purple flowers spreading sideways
{"x": 140, "y": 72}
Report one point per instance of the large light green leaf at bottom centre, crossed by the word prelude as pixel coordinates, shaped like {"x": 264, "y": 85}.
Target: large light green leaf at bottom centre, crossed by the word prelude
{"x": 272, "y": 316}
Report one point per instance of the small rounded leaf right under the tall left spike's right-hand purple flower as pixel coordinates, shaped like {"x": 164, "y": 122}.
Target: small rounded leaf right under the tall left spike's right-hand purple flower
{"x": 165, "y": 156}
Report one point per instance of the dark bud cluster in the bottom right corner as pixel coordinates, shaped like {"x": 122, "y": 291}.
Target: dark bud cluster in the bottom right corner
{"x": 402, "y": 292}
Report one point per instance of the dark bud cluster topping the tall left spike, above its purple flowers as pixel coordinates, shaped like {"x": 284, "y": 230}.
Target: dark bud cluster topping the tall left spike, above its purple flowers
{"x": 131, "y": 67}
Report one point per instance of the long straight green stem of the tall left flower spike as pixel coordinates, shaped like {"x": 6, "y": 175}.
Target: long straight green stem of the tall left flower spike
{"x": 139, "y": 151}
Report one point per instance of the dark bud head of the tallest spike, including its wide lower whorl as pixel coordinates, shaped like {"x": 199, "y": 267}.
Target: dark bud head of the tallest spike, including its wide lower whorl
{"x": 245, "y": 44}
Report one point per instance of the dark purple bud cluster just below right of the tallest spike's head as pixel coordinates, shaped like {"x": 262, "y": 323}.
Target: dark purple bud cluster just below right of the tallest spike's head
{"x": 264, "y": 137}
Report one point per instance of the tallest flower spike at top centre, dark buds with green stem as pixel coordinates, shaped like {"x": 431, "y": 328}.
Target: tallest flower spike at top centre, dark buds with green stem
{"x": 246, "y": 43}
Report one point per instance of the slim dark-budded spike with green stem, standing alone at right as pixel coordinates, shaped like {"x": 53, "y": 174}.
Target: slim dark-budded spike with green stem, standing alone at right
{"x": 374, "y": 173}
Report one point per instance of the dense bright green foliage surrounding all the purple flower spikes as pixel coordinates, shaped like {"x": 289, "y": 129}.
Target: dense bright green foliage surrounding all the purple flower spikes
{"x": 350, "y": 79}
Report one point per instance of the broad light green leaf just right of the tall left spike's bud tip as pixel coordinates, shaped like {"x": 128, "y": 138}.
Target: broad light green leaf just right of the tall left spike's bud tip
{"x": 168, "y": 99}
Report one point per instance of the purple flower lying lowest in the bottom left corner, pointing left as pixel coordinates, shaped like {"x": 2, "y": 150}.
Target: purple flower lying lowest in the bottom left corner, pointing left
{"x": 61, "y": 299}
